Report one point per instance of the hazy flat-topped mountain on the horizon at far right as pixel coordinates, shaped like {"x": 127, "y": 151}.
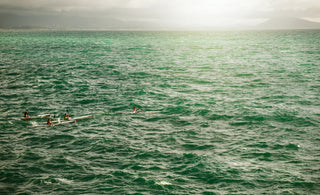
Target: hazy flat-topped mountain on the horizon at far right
{"x": 288, "y": 23}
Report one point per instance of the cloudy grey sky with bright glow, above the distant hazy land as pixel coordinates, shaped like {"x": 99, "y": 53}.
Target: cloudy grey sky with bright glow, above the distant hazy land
{"x": 124, "y": 14}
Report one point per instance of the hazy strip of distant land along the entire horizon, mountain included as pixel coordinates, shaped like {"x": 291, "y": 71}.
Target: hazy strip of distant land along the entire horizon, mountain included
{"x": 71, "y": 23}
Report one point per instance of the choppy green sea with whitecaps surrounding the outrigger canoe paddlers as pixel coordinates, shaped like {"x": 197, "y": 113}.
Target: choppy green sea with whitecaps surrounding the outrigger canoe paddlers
{"x": 223, "y": 112}
